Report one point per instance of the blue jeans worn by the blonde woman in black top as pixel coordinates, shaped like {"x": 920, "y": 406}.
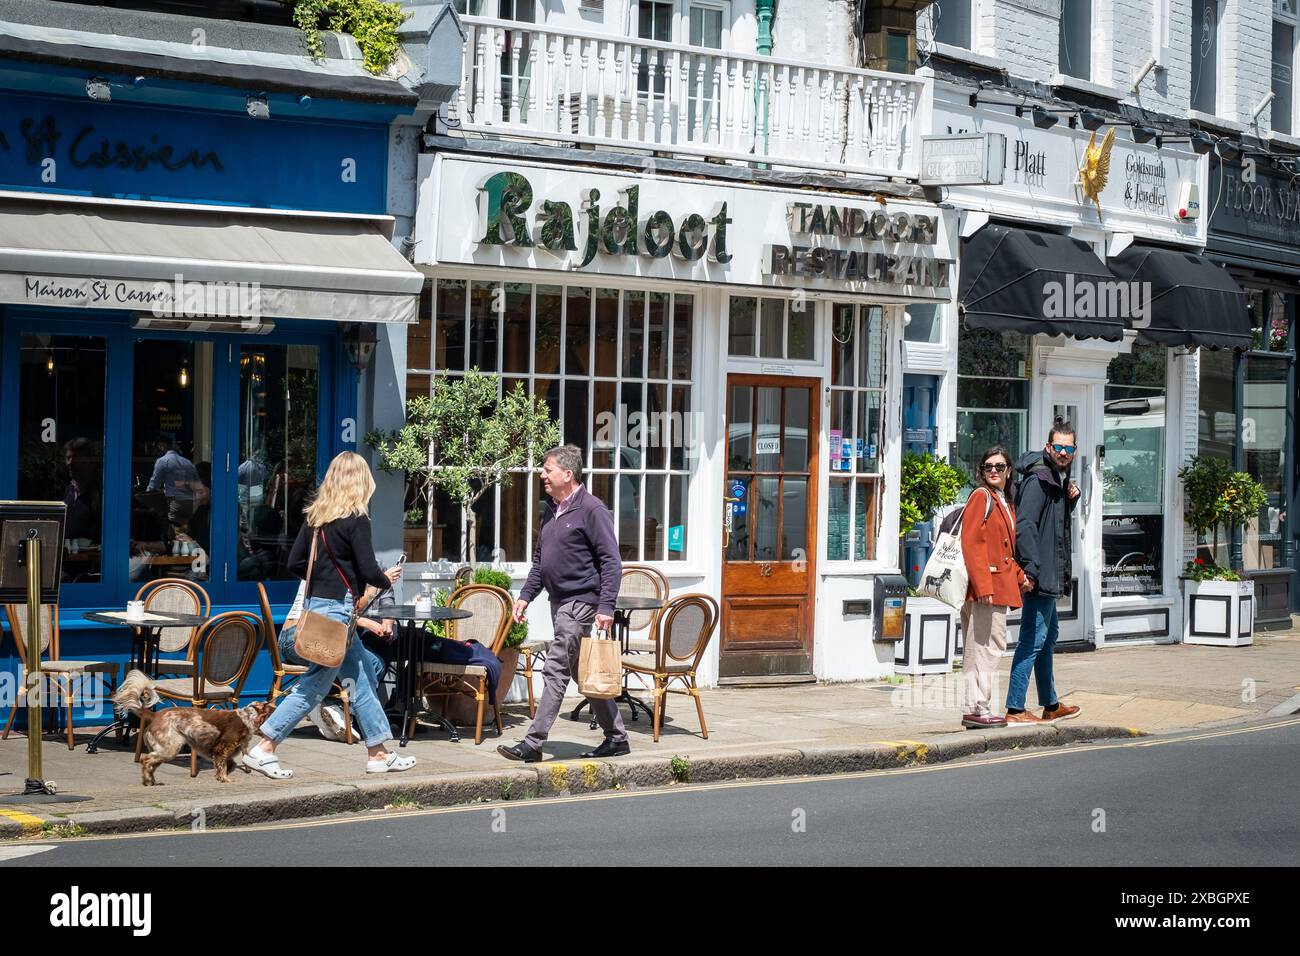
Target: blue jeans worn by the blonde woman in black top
{"x": 358, "y": 673}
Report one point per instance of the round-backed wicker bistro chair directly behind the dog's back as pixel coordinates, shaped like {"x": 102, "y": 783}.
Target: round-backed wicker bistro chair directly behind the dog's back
{"x": 223, "y": 656}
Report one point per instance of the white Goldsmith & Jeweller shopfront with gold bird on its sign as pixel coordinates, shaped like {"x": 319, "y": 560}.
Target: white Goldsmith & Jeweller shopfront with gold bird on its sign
{"x": 1134, "y": 404}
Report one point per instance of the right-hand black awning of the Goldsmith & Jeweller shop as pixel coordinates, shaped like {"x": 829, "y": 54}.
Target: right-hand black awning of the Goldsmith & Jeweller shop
{"x": 1190, "y": 300}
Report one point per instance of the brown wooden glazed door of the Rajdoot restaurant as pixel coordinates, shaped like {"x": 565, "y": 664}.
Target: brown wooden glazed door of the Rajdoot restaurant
{"x": 770, "y": 548}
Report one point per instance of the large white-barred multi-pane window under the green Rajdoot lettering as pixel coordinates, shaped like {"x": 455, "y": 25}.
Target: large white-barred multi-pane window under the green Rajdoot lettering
{"x": 614, "y": 369}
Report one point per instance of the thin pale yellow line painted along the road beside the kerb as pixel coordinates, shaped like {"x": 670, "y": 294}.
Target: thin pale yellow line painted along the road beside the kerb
{"x": 691, "y": 789}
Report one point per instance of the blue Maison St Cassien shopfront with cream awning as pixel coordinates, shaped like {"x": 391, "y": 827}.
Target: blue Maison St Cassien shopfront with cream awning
{"x": 185, "y": 292}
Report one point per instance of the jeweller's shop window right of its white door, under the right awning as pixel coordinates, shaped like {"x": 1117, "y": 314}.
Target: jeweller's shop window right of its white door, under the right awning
{"x": 1133, "y": 473}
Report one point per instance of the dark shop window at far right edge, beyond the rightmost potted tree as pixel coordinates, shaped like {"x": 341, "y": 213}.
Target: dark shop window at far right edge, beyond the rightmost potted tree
{"x": 1264, "y": 443}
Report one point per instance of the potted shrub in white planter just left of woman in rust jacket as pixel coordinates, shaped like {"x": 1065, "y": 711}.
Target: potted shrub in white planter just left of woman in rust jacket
{"x": 930, "y": 631}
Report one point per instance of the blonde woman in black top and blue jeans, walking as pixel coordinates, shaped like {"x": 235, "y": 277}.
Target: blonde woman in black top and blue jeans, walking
{"x": 345, "y": 564}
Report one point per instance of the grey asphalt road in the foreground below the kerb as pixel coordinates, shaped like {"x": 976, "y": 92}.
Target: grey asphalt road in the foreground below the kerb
{"x": 1227, "y": 798}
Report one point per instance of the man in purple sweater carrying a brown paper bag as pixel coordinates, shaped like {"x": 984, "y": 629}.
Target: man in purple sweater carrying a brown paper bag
{"x": 578, "y": 563}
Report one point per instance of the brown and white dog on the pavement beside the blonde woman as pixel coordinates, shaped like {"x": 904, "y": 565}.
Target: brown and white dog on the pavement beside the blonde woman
{"x": 219, "y": 736}
